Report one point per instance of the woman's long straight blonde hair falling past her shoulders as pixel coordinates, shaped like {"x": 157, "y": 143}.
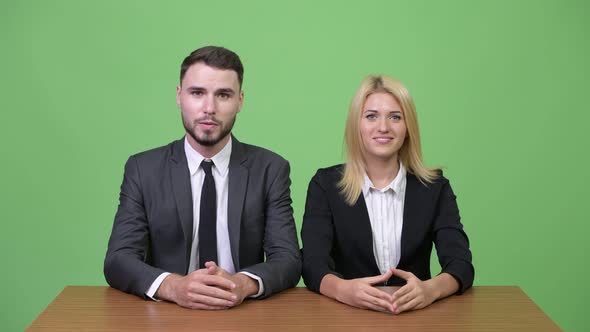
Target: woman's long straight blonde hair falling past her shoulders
{"x": 410, "y": 153}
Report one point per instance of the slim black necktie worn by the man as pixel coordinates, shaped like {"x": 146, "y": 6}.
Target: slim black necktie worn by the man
{"x": 208, "y": 218}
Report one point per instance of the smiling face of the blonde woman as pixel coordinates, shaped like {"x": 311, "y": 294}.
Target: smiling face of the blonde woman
{"x": 383, "y": 127}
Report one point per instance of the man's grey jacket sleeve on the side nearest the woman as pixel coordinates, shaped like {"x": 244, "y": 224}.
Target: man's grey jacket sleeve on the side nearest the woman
{"x": 282, "y": 267}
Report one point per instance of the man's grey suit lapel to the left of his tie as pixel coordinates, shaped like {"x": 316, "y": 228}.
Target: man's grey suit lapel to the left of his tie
{"x": 181, "y": 186}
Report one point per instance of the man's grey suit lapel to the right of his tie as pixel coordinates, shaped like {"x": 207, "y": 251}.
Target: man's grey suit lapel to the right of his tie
{"x": 238, "y": 181}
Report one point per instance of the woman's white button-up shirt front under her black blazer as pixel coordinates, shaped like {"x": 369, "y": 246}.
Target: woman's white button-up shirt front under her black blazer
{"x": 386, "y": 212}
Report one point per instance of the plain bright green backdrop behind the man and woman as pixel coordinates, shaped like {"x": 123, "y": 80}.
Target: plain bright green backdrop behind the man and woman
{"x": 500, "y": 88}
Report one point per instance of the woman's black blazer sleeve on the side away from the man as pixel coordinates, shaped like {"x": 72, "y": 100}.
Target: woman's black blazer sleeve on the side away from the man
{"x": 452, "y": 244}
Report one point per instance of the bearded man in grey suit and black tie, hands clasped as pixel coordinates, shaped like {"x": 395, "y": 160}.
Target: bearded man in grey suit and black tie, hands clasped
{"x": 198, "y": 210}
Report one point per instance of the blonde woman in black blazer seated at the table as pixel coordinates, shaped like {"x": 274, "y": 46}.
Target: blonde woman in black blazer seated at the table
{"x": 372, "y": 221}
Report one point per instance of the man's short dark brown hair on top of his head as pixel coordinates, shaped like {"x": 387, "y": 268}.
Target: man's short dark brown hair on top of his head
{"x": 216, "y": 57}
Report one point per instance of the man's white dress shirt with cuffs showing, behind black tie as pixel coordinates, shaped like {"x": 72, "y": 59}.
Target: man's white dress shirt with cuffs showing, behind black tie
{"x": 220, "y": 172}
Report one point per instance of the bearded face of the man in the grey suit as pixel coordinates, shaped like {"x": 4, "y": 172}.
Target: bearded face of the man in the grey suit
{"x": 209, "y": 99}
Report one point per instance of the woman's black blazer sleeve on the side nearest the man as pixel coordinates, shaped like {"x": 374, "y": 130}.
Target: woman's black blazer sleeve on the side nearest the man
{"x": 317, "y": 235}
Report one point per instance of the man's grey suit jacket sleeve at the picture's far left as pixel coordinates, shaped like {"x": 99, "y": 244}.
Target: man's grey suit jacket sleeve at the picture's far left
{"x": 124, "y": 265}
